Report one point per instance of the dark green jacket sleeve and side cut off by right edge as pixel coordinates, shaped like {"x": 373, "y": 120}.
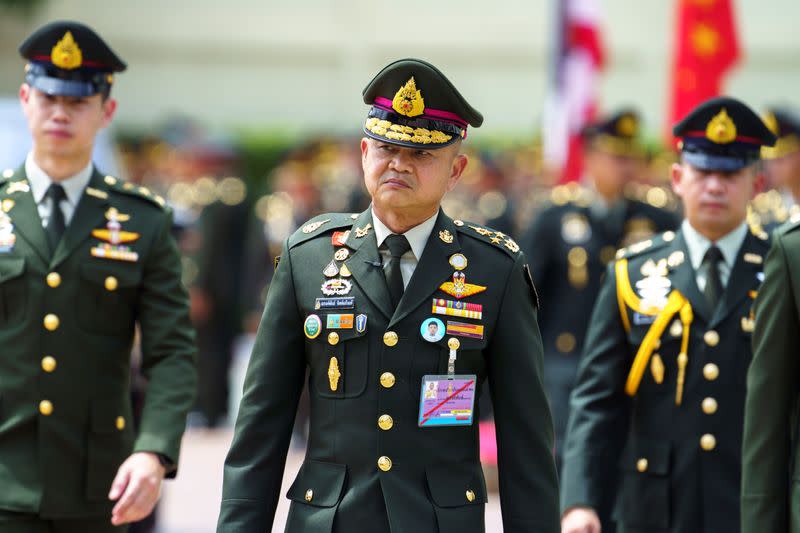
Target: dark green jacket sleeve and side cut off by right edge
{"x": 770, "y": 475}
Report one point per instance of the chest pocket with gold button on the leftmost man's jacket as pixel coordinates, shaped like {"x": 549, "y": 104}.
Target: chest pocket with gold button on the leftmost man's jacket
{"x": 108, "y": 298}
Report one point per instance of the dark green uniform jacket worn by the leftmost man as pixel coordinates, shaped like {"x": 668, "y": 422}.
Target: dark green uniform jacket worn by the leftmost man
{"x": 66, "y": 332}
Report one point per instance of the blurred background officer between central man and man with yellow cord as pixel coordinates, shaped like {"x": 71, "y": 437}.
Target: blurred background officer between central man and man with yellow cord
{"x": 571, "y": 241}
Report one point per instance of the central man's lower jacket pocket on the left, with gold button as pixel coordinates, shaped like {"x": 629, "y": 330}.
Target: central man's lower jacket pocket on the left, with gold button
{"x": 315, "y": 494}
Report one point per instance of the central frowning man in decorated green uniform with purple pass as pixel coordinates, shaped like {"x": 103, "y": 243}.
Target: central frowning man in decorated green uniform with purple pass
{"x": 393, "y": 441}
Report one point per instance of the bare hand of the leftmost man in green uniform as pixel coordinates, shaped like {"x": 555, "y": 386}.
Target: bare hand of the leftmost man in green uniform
{"x": 137, "y": 487}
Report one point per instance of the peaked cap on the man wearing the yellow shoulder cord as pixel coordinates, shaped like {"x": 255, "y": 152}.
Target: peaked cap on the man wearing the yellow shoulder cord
{"x": 722, "y": 134}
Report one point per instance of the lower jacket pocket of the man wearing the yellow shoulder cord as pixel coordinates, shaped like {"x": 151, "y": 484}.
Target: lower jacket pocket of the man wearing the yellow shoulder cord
{"x": 645, "y": 501}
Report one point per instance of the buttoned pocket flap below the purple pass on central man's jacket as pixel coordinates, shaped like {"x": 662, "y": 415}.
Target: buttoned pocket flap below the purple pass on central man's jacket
{"x": 455, "y": 485}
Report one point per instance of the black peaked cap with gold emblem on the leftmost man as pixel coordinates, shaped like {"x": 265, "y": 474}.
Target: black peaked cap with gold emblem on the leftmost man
{"x": 69, "y": 59}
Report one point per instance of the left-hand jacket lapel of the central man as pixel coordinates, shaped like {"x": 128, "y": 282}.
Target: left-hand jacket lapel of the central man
{"x": 366, "y": 266}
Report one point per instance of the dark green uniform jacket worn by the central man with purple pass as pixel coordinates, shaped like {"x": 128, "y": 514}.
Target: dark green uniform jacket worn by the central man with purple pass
{"x": 434, "y": 480}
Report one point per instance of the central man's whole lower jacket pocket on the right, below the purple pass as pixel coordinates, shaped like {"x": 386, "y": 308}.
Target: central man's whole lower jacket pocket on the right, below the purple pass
{"x": 458, "y": 493}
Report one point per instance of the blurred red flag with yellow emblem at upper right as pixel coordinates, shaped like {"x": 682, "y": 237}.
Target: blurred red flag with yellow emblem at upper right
{"x": 706, "y": 47}
